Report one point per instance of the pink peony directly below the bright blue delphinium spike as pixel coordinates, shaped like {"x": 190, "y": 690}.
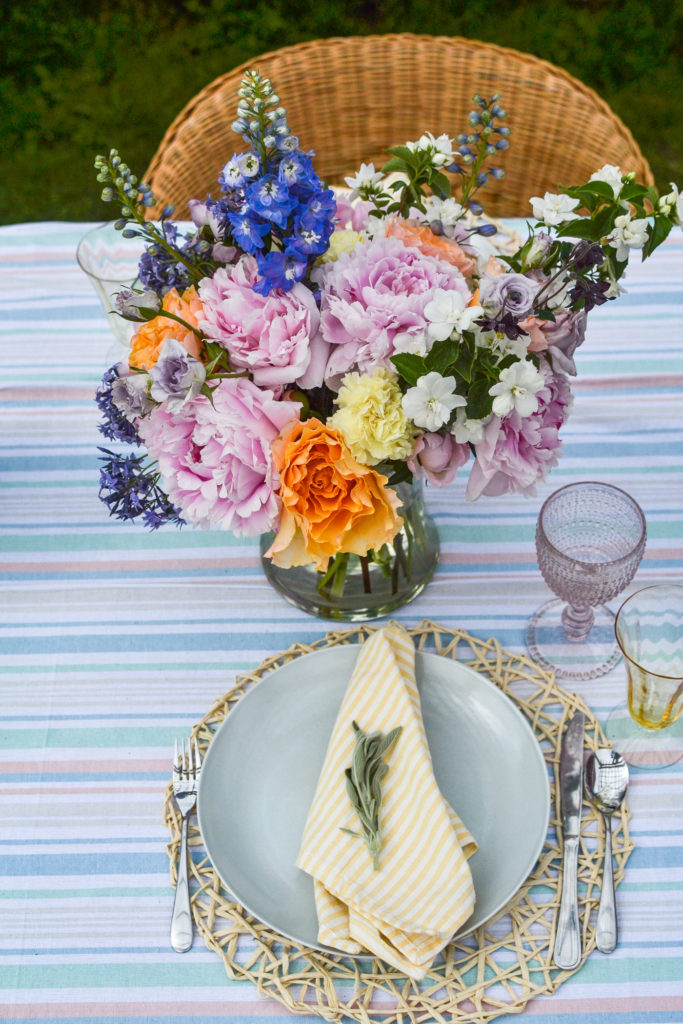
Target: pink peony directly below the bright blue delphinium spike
{"x": 274, "y": 336}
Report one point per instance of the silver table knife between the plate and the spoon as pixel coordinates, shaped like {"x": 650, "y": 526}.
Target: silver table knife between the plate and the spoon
{"x": 568, "y": 936}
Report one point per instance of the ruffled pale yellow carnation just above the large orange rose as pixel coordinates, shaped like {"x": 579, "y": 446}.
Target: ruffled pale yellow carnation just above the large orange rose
{"x": 371, "y": 419}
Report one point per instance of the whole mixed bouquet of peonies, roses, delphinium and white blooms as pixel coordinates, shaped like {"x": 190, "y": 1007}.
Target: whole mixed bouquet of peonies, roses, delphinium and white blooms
{"x": 304, "y": 353}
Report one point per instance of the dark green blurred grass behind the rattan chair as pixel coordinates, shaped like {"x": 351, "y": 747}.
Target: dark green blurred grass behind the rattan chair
{"x": 78, "y": 77}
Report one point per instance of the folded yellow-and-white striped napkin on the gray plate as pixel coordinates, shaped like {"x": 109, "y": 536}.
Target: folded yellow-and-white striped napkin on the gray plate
{"x": 407, "y": 911}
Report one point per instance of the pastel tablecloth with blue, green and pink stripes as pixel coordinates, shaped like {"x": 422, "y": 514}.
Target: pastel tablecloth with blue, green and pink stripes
{"x": 115, "y": 642}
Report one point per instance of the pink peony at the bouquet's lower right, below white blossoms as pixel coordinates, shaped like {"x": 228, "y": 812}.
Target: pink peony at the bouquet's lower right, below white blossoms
{"x": 518, "y": 452}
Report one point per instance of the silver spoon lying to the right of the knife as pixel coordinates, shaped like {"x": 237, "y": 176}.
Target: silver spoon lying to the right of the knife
{"x": 607, "y": 780}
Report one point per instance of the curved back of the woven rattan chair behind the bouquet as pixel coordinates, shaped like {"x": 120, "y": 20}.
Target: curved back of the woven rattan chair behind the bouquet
{"x": 351, "y": 99}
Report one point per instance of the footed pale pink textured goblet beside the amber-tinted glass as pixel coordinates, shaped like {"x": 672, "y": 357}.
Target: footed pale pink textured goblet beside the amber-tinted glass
{"x": 590, "y": 540}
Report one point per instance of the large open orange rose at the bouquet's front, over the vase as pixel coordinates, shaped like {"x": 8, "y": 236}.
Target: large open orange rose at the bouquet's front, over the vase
{"x": 331, "y": 503}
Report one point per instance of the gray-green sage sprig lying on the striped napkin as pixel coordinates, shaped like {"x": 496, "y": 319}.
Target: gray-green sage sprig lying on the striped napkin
{"x": 364, "y": 785}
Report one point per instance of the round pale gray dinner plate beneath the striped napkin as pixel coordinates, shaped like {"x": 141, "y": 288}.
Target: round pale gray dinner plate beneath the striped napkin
{"x": 262, "y": 770}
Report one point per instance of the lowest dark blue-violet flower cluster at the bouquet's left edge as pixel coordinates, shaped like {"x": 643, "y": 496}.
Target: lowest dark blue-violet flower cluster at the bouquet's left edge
{"x": 131, "y": 490}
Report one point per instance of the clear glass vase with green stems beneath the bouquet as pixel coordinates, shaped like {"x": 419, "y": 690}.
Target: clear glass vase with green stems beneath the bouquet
{"x": 358, "y": 589}
